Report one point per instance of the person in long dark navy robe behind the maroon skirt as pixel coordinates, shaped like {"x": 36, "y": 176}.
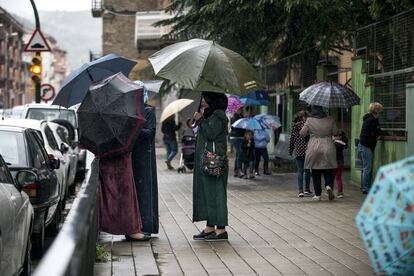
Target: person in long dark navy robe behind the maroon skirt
{"x": 145, "y": 170}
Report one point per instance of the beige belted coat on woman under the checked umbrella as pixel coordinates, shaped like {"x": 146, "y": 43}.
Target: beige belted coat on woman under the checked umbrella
{"x": 320, "y": 153}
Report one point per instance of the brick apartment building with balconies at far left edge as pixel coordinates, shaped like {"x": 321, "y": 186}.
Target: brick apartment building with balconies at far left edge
{"x": 13, "y": 71}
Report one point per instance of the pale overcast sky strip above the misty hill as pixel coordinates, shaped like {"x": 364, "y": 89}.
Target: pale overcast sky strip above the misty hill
{"x": 24, "y": 8}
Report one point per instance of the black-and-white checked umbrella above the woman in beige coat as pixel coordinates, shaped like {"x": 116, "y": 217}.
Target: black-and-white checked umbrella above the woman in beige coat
{"x": 329, "y": 94}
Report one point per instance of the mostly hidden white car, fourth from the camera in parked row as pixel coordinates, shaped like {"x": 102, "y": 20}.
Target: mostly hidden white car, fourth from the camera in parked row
{"x": 61, "y": 134}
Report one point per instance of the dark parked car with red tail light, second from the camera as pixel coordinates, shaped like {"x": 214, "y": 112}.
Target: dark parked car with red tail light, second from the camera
{"x": 22, "y": 150}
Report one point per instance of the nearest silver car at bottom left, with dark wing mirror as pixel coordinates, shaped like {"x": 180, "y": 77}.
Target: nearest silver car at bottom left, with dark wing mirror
{"x": 16, "y": 218}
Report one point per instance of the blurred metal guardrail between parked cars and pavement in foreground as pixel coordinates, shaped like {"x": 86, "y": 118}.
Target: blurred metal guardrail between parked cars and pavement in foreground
{"x": 73, "y": 251}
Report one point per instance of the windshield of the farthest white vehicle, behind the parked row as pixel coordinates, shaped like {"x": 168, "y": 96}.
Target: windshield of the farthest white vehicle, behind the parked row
{"x": 52, "y": 114}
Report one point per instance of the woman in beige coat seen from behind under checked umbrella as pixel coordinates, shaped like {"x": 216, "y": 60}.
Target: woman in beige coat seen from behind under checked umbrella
{"x": 320, "y": 154}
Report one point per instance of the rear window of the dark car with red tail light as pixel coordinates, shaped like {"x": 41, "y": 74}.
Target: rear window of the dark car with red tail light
{"x": 12, "y": 147}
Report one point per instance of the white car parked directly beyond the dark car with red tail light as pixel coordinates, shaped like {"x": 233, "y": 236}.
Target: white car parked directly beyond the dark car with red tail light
{"x": 54, "y": 150}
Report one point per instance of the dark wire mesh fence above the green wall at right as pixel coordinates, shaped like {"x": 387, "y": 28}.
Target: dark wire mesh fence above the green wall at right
{"x": 388, "y": 48}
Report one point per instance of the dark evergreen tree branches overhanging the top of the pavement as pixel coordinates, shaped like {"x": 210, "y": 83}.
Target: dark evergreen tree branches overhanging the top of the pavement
{"x": 267, "y": 29}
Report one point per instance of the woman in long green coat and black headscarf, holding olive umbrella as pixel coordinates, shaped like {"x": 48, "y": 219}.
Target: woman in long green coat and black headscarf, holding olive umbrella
{"x": 210, "y": 192}
